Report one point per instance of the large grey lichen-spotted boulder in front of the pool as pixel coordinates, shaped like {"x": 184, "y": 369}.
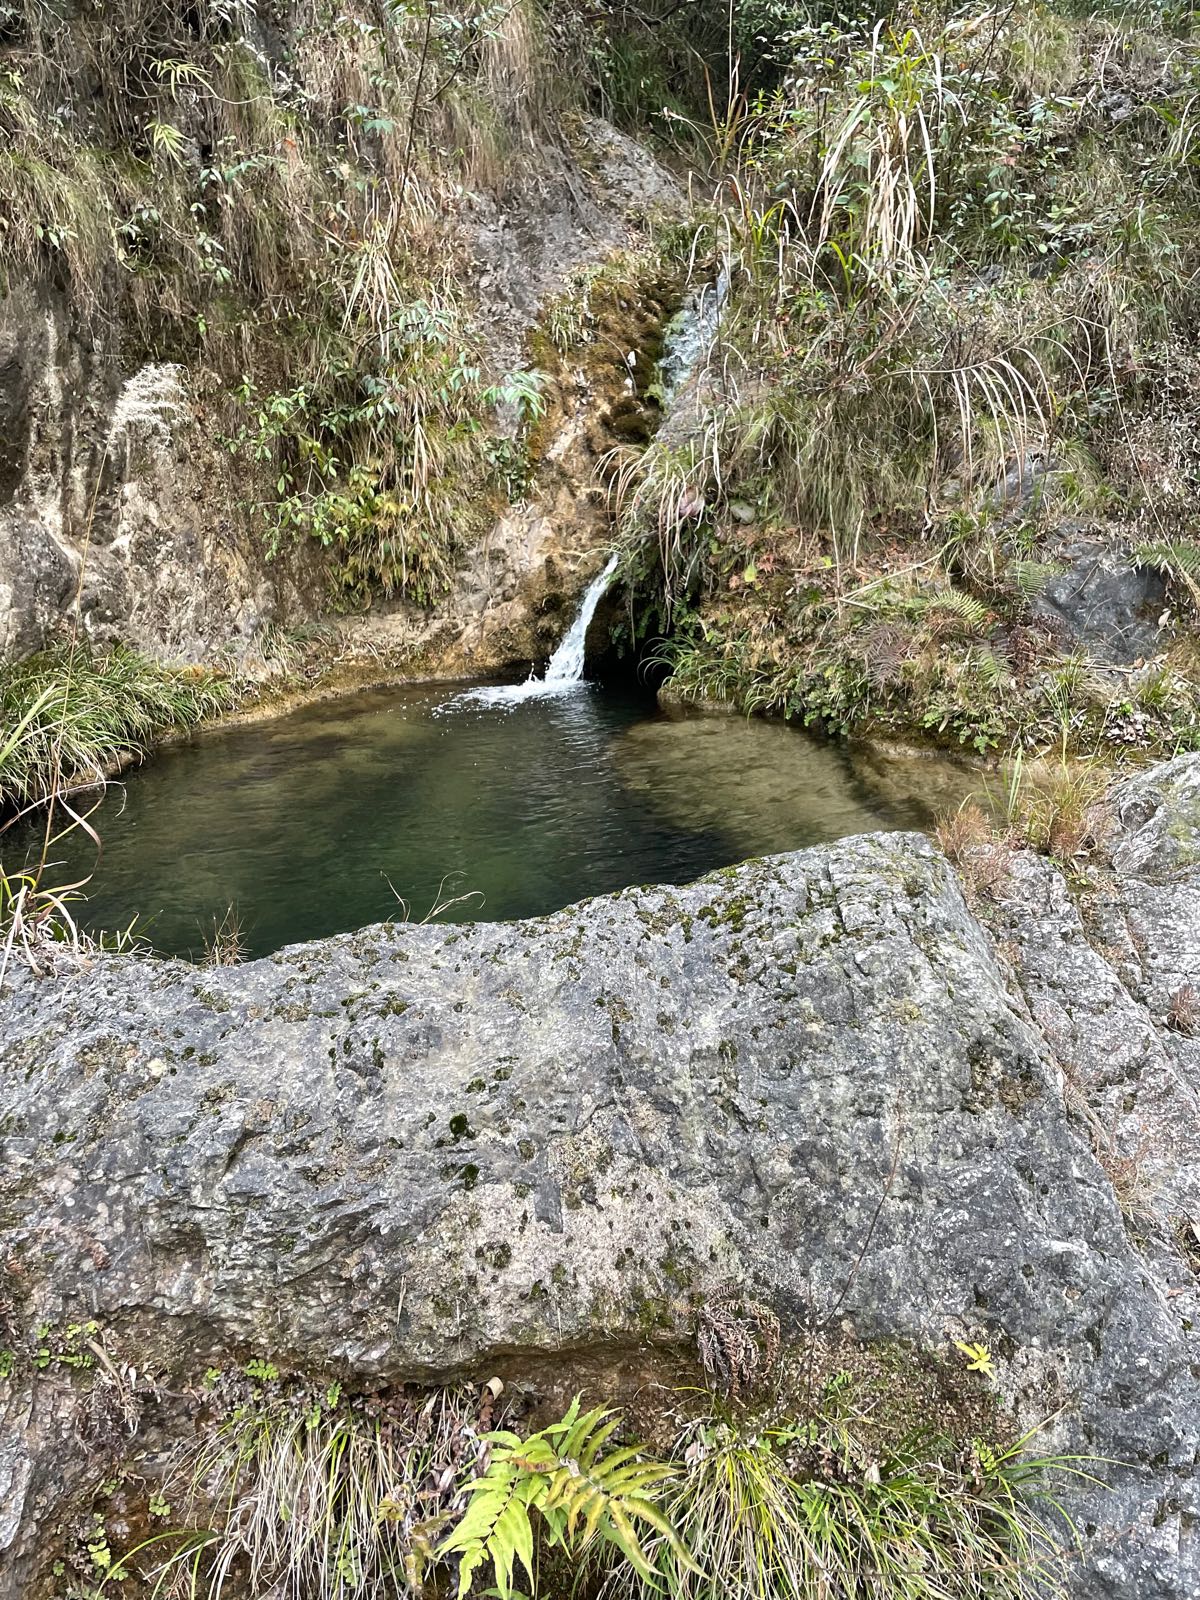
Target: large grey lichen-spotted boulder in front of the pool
{"x": 409, "y": 1151}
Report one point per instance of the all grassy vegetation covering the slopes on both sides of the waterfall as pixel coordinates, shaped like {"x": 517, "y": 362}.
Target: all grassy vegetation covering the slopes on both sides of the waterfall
{"x": 956, "y": 375}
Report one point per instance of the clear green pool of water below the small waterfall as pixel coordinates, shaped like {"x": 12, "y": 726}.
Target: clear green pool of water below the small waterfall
{"x": 318, "y": 822}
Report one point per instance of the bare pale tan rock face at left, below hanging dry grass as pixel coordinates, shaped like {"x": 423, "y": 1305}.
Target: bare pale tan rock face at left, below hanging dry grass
{"x": 121, "y": 479}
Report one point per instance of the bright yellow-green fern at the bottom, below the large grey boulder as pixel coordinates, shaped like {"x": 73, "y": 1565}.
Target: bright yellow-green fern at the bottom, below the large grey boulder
{"x": 580, "y": 1494}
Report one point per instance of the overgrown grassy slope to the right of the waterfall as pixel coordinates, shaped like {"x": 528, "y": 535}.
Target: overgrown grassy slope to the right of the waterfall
{"x": 959, "y": 354}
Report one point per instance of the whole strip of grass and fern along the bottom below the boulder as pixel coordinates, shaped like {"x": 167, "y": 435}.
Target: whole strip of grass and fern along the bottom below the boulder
{"x": 817, "y": 1498}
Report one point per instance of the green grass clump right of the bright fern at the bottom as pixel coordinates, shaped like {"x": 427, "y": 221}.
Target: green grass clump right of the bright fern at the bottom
{"x": 820, "y": 1508}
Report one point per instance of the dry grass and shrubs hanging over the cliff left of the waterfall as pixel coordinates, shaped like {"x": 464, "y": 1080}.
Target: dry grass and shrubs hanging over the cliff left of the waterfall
{"x": 278, "y": 194}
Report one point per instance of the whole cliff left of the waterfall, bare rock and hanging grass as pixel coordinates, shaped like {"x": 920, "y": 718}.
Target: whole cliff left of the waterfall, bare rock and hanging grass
{"x": 265, "y": 274}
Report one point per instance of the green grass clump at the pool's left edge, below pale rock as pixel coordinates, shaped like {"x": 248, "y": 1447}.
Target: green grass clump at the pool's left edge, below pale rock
{"x": 78, "y": 714}
